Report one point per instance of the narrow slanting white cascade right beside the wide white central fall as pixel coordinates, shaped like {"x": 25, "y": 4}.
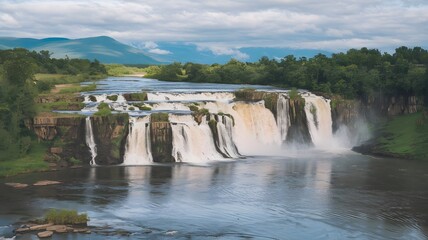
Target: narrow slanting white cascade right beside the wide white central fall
{"x": 225, "y": 137}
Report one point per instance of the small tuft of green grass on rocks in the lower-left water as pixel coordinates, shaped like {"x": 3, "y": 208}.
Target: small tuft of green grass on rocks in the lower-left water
{"x": 66, "y": 217}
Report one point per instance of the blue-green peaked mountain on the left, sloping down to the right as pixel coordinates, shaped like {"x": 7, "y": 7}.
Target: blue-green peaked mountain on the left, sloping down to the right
{"x": 105, "y": 49}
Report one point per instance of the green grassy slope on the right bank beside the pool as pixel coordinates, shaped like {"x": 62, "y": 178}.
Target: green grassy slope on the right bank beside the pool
{"x": 406, "y": 135}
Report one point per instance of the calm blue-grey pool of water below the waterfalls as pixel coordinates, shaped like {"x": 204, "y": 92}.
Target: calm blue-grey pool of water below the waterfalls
{"x": 315, "y": 197}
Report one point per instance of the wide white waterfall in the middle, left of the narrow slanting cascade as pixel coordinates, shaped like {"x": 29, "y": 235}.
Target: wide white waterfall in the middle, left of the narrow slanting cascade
{"x": 192, "y": 142}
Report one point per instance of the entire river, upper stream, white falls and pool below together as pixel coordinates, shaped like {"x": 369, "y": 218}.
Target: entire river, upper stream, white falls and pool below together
{"x": 271, "y": 192}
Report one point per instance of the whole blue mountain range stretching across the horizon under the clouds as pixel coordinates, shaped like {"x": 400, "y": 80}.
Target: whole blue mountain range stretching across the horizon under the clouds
{"x": 108, "y": 50}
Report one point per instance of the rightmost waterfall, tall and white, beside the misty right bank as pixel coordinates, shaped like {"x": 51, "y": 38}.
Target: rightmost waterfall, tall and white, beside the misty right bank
{"x": 318, "y": 113}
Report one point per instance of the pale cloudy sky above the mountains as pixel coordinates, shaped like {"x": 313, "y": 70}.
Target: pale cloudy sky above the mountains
{"x": 225, "y": 24}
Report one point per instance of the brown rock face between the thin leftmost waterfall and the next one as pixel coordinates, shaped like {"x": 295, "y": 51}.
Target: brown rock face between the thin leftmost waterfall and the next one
{"x": 110, "y": 134}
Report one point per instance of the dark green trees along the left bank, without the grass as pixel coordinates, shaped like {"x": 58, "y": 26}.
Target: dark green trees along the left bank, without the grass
{"x": 18, "y": 89}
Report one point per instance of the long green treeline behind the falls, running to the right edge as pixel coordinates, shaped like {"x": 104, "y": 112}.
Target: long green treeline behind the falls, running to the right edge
{"x": 354, "y": 74}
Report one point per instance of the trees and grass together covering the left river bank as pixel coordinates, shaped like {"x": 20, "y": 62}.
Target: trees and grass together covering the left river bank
{"x": 19, "y": 87}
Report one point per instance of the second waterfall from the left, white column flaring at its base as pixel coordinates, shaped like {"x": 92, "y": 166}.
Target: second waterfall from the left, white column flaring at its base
{"x": 138, "y": 148}
